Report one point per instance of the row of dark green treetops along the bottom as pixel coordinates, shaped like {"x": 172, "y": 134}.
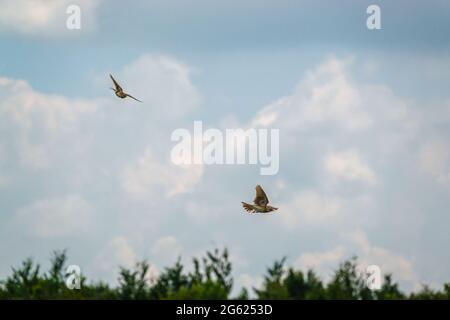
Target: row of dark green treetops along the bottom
{"x": 210, "y": 278}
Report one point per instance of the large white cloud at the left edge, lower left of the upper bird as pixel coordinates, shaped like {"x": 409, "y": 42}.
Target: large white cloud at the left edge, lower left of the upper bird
{"x": 37, "y": 122}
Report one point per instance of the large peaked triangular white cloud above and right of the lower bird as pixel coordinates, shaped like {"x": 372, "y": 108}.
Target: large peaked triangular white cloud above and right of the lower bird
{"x": 325, "y": 96}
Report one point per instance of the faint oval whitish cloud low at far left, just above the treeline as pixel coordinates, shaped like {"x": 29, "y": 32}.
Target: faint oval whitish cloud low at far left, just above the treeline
{"x": 56, "y": 217}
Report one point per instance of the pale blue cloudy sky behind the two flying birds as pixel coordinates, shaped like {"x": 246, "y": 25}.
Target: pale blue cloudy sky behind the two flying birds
{"x": 364, "y": 120}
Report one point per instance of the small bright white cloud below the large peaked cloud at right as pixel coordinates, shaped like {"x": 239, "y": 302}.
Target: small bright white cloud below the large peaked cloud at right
{"x": 348, "y": 165}
